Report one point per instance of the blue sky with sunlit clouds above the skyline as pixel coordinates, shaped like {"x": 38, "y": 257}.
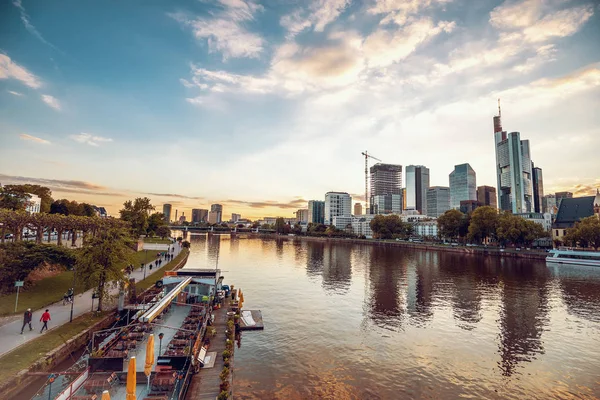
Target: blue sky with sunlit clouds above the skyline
{"x": 262, "y": 106}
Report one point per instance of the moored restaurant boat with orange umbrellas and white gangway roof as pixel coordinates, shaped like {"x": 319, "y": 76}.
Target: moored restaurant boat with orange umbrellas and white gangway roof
{"x": 156, "y": 353}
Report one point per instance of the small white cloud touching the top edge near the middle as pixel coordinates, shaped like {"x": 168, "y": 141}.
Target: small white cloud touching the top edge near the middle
{"x": 319, "y": 14}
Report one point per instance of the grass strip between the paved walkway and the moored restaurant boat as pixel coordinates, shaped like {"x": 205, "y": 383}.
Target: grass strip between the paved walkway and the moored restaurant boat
{"x": 25, "y": 356}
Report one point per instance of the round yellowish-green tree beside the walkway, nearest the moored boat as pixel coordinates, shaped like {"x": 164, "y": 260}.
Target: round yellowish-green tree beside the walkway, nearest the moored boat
{"x": 100, "y": 262}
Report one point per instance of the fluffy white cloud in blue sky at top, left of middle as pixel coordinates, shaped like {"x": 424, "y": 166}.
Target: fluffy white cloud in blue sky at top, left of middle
{"x": 225, "y": 32}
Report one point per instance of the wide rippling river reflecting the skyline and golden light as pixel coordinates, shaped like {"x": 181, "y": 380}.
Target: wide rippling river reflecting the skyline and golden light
{"x": 364, "y": 322}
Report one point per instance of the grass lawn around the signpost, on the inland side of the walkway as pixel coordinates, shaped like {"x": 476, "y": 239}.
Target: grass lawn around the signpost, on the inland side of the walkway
{"x": 43, "y": 293}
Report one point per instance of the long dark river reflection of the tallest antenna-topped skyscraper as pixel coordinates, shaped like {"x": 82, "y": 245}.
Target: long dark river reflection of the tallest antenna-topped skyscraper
{"x": 523, "y": 316}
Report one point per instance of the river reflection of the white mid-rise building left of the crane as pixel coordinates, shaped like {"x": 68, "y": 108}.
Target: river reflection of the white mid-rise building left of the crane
{"x": 337, "y": 267}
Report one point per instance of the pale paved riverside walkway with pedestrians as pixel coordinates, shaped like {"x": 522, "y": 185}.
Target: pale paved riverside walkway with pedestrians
{"x": 60, "y": 314}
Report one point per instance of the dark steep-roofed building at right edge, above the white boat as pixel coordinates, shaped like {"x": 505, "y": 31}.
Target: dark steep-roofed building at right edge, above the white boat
{"x": 573, "y": 209}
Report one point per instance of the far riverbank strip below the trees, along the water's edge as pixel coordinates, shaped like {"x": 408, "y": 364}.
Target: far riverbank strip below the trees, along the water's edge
{"x": 475, "y": 250}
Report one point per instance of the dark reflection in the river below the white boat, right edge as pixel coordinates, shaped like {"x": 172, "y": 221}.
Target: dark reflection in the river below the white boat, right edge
{"x": 580, "y": 288}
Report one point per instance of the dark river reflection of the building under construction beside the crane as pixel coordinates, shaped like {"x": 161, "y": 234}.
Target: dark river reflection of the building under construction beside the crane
{"x": 386, "y": 271}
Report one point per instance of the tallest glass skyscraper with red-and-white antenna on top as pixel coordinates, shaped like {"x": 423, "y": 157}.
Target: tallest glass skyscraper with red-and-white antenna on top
{"x": 513, "y": 170}
